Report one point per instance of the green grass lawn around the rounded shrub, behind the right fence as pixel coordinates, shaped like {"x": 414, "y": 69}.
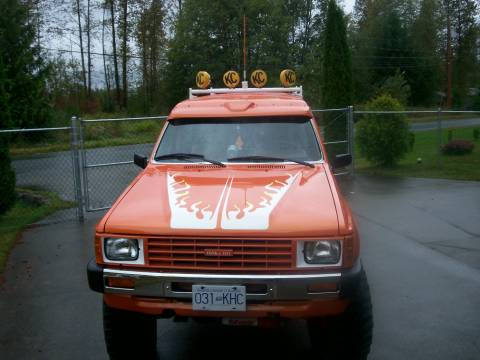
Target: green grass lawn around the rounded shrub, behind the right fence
{"x": 465, "y": 167}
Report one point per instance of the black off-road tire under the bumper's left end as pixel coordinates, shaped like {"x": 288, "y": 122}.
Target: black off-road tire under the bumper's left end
{"x": 129, "y": 335}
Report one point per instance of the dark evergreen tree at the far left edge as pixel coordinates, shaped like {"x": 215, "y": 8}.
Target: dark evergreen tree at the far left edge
{"x": 22, "y": 83}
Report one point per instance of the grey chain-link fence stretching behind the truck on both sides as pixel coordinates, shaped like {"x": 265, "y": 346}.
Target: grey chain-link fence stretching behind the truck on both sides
{"x": 88, "y": 164}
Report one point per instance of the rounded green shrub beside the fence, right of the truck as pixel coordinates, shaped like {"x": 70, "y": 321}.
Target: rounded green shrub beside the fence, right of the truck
{"x": 383, "y": 139}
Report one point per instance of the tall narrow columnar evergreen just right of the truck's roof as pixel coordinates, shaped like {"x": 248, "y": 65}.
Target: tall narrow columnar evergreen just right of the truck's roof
{"x": 337, "y": 72}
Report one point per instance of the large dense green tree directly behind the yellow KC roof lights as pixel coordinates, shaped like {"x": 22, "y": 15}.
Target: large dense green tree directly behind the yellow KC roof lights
{"x": 209, "y": 36}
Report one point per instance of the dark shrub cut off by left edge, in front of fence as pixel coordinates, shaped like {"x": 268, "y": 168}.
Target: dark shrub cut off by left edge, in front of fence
{"x": 7, "y": 178}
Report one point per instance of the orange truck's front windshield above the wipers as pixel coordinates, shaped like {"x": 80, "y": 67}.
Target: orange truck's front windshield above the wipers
{"x": 223, "y": 139}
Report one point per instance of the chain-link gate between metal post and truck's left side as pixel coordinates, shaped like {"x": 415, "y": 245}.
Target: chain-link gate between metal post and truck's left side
{"x": 107, "y": 170}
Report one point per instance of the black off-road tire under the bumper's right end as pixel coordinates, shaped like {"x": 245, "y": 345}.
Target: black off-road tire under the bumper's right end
{"x": 348, "y": 336}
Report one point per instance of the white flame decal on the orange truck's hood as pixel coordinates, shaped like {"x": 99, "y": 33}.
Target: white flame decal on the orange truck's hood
{"x": 244, "y": 207}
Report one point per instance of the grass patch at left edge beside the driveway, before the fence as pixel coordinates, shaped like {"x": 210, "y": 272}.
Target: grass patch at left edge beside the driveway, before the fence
{"x": 23, "y": 214}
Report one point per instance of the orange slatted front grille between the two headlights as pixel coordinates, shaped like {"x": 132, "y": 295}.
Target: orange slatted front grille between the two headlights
{"x": 245, "y": 254}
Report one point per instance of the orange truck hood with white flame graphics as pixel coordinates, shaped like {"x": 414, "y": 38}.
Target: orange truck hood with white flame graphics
{"x": 254, "y": 200}
